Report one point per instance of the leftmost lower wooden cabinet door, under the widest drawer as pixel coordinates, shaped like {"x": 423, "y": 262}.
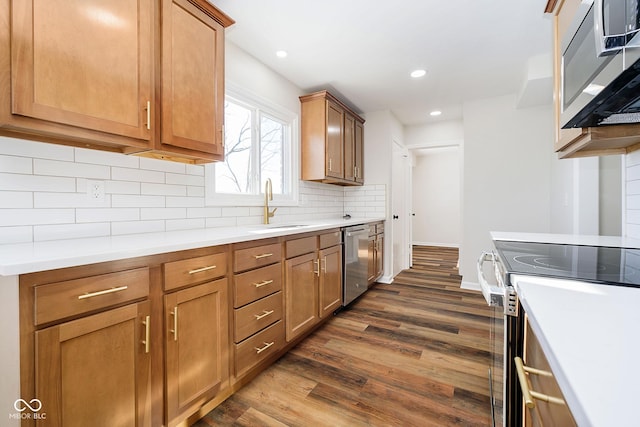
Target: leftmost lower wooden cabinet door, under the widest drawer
{"x": 95, "y": 371}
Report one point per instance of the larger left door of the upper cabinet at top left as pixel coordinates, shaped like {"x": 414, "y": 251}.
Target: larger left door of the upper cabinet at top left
{"x": 86, "y": 63}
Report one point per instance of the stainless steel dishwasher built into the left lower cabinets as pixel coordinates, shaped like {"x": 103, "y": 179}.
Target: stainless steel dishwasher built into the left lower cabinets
{"x": 355, "y": 262}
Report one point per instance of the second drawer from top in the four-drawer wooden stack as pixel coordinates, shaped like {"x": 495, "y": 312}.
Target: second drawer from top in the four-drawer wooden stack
{"x": 255, "y": 284}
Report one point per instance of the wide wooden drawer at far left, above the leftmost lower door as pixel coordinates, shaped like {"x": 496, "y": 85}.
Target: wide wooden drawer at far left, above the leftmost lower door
{"x": 55, "y": 301}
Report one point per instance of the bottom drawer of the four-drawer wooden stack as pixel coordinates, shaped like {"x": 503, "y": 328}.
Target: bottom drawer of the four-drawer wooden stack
{"x": 257, "y": 348}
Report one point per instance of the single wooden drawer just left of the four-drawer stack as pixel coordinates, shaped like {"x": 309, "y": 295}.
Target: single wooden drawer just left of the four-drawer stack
{"x": 194, "y": 270}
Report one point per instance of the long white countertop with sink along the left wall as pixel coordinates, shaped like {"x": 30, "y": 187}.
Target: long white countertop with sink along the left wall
{"x": 31, "y": 257}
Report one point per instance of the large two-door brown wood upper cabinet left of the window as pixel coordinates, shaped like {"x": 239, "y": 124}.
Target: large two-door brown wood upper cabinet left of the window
{"x": 130, "y": 76}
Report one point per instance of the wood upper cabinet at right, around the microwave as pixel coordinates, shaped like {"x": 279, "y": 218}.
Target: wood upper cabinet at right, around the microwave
{"x": 582, "y": 142}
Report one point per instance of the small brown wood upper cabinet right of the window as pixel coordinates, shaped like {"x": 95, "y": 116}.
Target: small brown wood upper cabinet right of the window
{"x": 332, "y": 141}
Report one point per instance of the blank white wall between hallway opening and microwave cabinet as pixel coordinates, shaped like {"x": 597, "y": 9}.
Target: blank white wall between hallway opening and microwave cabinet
{"x": 507, "y": 174}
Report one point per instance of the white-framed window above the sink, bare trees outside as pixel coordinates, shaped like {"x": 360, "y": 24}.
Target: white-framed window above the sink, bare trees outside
{"x": 260, "y": 144}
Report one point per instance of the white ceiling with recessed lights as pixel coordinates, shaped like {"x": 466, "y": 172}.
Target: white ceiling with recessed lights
{"x": 364, "y": 50}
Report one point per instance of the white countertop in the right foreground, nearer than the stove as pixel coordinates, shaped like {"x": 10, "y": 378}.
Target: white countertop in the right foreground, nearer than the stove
{"x": 588, "y": 333}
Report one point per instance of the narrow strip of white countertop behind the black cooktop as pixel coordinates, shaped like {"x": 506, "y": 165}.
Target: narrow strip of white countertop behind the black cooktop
{"x": 568, "y": 239}
